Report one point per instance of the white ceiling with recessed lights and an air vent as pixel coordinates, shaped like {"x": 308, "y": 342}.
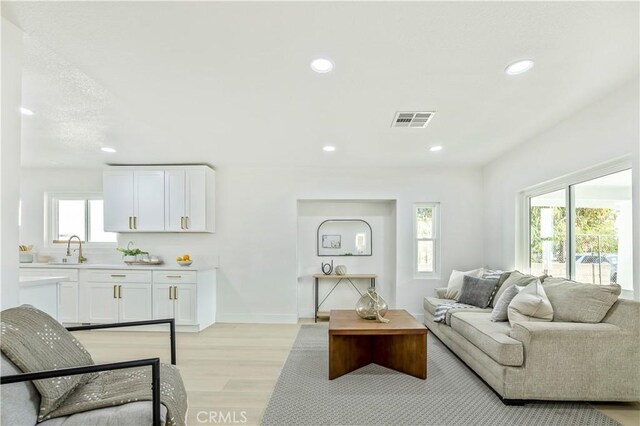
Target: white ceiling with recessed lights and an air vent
{"x": 229, "y": 83}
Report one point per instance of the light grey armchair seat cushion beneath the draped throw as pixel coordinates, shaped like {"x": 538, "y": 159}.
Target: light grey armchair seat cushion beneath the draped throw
{"x": 134, "y": 413}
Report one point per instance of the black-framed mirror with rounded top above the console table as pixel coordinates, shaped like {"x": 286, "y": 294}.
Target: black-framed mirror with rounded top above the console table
{"x": 344, "y": 237}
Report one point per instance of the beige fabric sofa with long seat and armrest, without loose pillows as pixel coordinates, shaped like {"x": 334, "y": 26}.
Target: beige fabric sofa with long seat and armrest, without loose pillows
{"x": 547, "y": 360}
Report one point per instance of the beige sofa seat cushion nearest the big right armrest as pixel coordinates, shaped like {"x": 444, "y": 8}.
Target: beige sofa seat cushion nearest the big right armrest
{"x": 492, "y": 338}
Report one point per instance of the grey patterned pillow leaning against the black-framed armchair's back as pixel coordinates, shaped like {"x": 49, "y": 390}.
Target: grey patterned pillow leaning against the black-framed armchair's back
{"x": 34, "y": 341}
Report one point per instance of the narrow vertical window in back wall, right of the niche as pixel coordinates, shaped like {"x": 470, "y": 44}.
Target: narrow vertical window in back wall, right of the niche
{"x": 426, "y": 233}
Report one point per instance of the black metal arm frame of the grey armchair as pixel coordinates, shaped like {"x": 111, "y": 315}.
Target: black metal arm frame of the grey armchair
{"x": 153, "y": 362}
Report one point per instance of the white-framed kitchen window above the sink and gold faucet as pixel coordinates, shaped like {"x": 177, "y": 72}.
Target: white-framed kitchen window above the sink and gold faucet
{"x": 77, "y": 214}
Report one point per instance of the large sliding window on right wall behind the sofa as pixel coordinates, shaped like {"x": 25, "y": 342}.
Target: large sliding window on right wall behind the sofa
{"x": 581, "y": 228}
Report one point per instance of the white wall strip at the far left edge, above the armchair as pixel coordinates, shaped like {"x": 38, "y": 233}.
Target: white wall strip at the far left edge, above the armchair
{"x": 10, "y": 161}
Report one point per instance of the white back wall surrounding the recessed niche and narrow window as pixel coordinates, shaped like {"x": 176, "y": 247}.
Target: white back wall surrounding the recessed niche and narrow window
{"x": 256, "y": 224}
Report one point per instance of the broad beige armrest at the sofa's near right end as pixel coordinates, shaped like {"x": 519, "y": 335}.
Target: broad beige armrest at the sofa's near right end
{"x": 587, "y": 361}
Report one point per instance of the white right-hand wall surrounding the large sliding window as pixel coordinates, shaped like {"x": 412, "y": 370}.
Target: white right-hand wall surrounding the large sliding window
{"x": 606, "y": 130}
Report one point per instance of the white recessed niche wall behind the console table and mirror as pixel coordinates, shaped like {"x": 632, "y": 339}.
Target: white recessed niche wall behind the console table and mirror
{"x": 380, "y": 214}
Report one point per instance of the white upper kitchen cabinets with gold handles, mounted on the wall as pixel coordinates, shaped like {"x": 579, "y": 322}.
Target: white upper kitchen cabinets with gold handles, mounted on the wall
{"x": 159, "y": 199}
